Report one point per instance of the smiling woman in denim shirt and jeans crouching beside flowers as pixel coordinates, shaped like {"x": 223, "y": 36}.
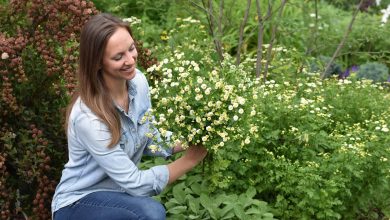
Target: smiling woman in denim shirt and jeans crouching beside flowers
{"x": 108, "y": 132}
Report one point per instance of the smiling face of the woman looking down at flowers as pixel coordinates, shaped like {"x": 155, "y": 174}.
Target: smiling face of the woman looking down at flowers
{"x": 120, "y": 57}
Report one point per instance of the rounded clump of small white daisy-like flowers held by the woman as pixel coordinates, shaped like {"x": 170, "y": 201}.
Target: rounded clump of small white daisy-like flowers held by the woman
{"x": 199, "y": 99}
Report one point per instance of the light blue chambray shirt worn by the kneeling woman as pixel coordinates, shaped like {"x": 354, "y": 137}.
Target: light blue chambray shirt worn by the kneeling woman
{"x": 92, "y": 166}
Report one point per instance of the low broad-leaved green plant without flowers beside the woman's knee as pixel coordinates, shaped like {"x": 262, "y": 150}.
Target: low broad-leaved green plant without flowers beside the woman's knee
{"x": 191, "y": 198}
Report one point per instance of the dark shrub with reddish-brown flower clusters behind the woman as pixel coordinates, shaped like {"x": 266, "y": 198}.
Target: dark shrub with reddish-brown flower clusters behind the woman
{"x": 38, "y": 49}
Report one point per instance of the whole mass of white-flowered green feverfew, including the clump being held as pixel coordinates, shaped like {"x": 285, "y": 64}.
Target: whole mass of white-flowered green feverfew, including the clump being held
{"x": 312, "y": 149}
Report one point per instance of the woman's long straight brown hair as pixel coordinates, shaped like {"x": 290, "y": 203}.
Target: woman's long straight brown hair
{"x": 91, "y": 87}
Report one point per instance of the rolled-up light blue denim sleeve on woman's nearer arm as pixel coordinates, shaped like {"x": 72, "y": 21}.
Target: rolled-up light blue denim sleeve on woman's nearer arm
{"x": 95, "y": 137}
